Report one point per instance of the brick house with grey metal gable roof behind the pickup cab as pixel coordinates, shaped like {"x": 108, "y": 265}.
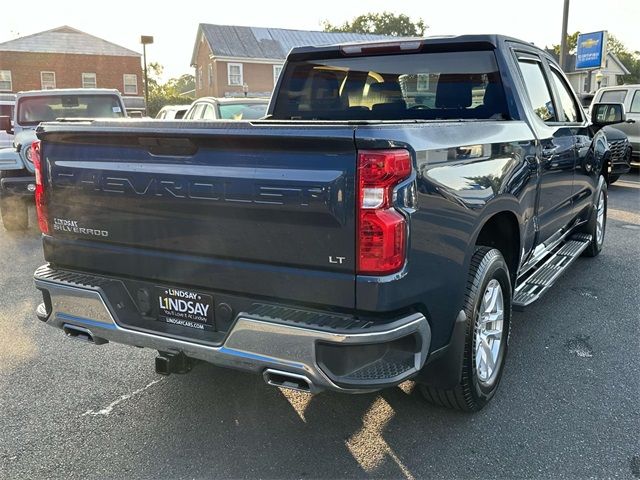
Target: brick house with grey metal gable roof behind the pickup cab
{"x": 227, "y": 57}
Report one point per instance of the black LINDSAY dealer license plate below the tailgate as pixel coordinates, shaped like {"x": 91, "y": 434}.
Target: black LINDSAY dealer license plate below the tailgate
{"x": 185, "y": 308}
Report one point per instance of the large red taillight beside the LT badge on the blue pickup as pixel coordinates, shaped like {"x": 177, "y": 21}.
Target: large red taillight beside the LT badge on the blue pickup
{"x": 381, "y": 228}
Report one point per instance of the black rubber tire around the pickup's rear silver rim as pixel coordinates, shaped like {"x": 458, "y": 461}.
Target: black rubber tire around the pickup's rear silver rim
{"x": 472, "y": 394}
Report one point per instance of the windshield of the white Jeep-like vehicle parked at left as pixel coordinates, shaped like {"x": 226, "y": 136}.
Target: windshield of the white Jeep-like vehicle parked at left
{"x": 33, "y": 110}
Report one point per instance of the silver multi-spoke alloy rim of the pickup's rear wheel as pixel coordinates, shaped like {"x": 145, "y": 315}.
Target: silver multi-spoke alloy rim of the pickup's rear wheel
{"x": 488, "y": 333}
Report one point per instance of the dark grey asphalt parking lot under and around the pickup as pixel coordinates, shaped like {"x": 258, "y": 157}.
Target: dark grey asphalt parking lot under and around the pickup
{"x": 568, "y": 405}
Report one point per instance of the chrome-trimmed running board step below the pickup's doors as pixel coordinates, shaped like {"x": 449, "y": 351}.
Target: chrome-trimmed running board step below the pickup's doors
{"x": 546, "y": 275}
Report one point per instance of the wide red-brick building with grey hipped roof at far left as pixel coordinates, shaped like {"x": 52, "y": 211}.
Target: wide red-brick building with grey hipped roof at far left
{"x": 68, "y": 58}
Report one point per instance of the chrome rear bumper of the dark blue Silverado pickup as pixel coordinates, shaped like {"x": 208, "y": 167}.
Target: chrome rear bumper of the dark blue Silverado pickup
{"x": 253, "y": 344}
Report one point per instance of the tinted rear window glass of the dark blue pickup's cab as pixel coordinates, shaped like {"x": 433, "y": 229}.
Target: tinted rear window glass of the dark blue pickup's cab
{"x": 447, "y": 85}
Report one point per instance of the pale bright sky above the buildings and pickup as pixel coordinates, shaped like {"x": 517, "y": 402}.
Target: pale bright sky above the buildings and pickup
{"x": 174, "y": 24}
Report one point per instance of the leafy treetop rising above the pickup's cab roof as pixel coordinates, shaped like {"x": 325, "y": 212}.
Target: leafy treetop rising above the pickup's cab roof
{"x": 385, "y": 23}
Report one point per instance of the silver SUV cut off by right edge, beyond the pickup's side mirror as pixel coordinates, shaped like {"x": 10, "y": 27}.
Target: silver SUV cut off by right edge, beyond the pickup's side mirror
{"x": 629, "y": 96}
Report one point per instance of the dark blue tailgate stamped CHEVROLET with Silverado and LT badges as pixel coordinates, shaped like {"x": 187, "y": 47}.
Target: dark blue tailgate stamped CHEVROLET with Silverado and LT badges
{"x": 262, "y": 198}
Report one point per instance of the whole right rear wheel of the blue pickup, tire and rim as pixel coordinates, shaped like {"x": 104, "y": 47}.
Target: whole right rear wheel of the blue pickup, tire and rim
{"x": 488, "y": 310}
